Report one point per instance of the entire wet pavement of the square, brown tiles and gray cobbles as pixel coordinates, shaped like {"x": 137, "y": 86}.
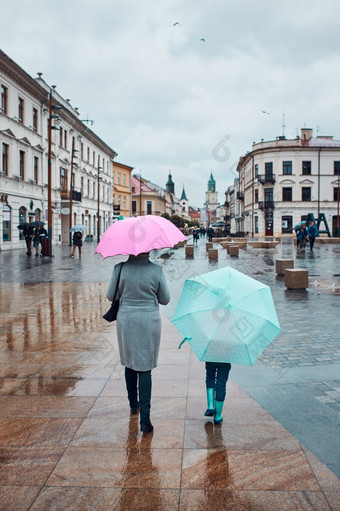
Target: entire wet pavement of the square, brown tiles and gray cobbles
{"x": 67, "y": 440}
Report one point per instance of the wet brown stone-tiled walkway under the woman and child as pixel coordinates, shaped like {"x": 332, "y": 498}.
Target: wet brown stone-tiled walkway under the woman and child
{"x": 68, "y": 441}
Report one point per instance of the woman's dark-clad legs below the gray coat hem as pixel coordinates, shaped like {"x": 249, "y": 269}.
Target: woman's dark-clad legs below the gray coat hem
{"x": 140, "y": 380}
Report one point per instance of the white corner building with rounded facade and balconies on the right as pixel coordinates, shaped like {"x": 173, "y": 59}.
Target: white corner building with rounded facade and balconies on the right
{"x": 281, "y": 181}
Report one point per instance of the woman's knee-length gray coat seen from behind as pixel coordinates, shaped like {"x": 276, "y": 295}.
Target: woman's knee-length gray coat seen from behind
{"x": 142, "y": 286}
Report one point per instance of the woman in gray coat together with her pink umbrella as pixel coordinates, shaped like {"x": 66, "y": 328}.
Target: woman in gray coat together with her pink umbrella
{"x": 141, "y": 287}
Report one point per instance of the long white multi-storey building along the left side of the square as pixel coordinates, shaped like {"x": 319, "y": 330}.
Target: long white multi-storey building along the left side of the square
{"x": 24, "y": 141}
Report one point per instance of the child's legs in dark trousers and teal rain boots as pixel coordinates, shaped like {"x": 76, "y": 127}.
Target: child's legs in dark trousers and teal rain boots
{"x": 216, "y": 377}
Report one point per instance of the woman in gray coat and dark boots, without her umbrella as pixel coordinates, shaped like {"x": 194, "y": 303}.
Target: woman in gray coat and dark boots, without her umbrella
{"x": 142, "y": 287}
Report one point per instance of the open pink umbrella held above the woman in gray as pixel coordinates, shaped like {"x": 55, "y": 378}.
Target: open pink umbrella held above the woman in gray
{"x": 135, "y": 235}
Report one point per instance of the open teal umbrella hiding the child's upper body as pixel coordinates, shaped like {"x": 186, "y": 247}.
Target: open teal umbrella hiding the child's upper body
{"x": 226, "y": 316}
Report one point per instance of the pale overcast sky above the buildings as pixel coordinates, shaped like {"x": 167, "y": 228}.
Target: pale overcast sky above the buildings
{"x": 166, "y": 100}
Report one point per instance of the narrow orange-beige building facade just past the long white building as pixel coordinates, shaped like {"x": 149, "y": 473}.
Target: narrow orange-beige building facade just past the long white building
{"x": 121, "y": 189}
